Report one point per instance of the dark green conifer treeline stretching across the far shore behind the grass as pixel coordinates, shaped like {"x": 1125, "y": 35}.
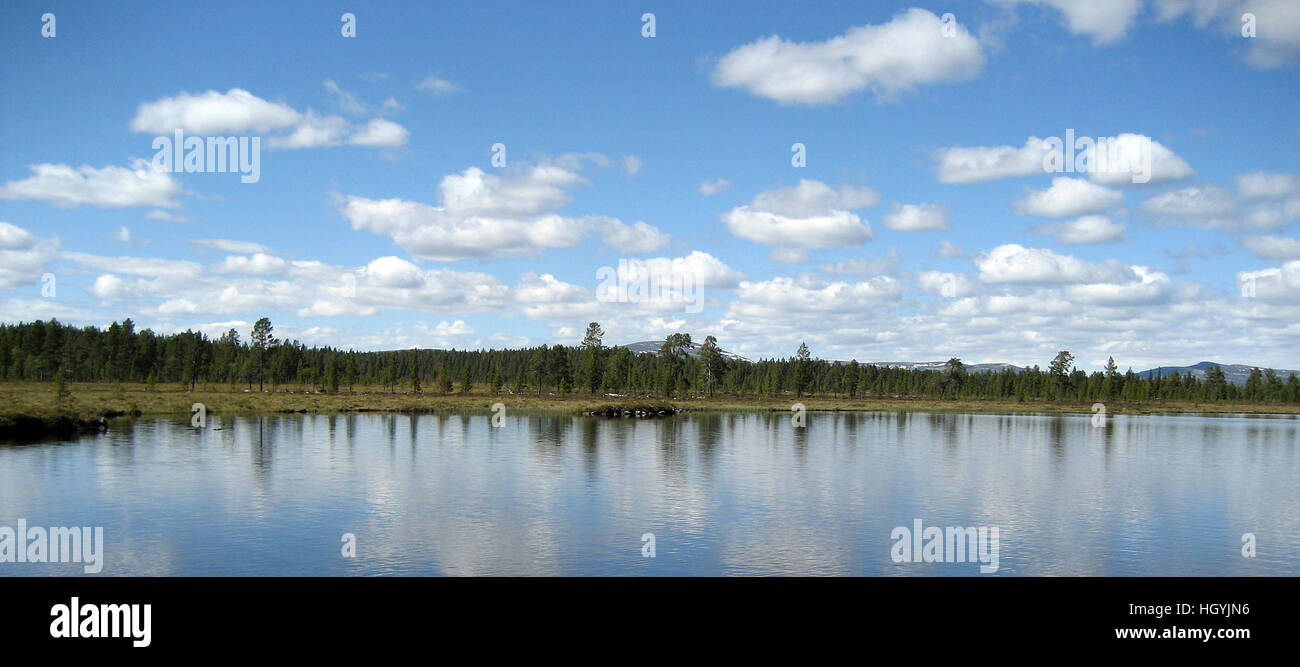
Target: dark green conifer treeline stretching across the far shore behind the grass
{"x": 53, "y": 352}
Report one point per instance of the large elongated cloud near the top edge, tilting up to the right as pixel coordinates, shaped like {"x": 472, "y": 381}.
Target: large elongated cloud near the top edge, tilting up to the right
{"x": 908, "y": 51}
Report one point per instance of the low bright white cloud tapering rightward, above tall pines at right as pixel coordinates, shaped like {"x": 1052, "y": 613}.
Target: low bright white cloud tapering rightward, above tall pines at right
{"x": 1017, "y": 265}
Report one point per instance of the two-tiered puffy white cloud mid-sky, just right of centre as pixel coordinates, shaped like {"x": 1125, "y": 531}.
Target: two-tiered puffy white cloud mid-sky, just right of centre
{"x": 811, "y": 216}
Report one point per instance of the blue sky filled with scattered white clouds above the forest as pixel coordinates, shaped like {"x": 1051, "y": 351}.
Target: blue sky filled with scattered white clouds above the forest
{"x": 873, "y": 179}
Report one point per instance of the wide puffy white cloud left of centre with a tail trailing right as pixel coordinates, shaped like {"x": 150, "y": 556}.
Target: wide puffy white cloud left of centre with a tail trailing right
{"x": 484, "y": 215}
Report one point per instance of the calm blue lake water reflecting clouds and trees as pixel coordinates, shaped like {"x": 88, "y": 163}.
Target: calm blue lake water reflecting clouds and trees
{"x": 723, "y": 495}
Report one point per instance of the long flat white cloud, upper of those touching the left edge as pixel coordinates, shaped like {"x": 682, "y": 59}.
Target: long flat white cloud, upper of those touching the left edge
{"x": 141, "y": 185}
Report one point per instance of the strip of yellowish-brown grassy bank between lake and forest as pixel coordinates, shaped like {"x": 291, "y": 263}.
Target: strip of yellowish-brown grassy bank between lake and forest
{"x": 28, "y": 405}
